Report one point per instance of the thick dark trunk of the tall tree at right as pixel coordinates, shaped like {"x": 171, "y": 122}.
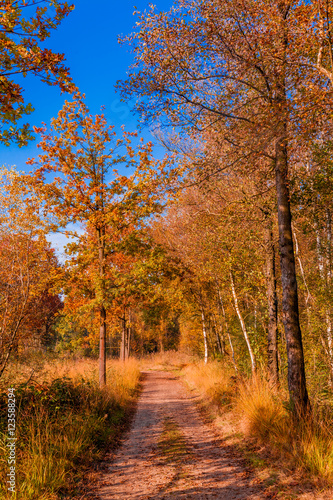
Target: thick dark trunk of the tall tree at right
{"x": 299, "y": 399}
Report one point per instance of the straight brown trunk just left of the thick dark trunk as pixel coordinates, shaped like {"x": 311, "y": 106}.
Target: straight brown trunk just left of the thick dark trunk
{"x": 272, "y": 340}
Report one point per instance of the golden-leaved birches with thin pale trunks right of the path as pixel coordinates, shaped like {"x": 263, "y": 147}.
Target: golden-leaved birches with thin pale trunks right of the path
{"x": 200, "y": 230}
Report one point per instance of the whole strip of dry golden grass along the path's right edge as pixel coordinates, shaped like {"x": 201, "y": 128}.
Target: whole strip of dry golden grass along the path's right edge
{"x": 260, "y": 411}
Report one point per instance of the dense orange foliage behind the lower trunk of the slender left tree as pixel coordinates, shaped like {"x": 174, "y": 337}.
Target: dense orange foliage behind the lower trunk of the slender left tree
{"x": 126, "y": 254}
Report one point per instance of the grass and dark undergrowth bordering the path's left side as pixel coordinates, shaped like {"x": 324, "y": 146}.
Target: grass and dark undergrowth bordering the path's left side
{"x": 63, "y": 423}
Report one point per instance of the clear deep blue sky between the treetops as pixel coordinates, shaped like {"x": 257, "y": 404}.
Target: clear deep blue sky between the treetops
{"x": 88, "y": 38}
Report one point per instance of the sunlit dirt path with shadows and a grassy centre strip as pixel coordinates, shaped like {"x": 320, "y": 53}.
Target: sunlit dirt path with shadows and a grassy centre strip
{"x": 193, "y": 465}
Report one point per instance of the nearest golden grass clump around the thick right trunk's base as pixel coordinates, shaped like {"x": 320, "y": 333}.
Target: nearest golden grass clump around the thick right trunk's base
{"x": 307, "y": 445}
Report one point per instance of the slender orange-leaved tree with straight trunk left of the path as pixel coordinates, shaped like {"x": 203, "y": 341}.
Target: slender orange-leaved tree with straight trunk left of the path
{"x": 82, "y": 152}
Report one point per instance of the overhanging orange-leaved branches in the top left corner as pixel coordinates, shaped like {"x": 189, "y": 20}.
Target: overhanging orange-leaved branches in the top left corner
{"x": 24, "y": 27}
